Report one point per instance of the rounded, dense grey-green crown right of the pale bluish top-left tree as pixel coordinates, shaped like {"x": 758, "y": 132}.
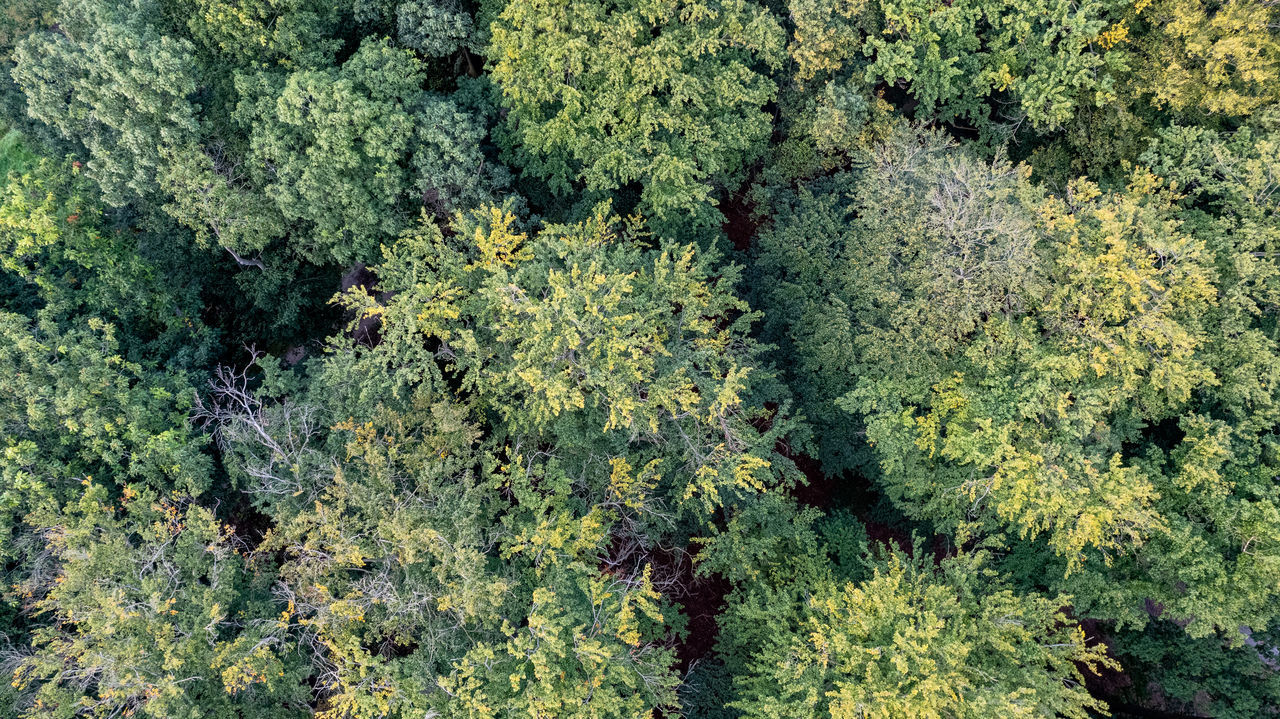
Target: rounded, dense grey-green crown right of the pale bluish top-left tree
{"x": 335, "y": 141}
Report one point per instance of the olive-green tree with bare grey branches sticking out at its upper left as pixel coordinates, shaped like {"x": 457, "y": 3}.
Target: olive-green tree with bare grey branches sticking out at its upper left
{"x": 383, "y": 519}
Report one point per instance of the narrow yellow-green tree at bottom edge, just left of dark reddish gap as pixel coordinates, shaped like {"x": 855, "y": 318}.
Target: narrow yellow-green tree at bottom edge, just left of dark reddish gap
{"x": 586, "y": 635}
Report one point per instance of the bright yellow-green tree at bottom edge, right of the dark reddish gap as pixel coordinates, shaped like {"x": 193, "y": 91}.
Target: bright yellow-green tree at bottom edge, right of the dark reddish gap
{"x": 830, "y": 629}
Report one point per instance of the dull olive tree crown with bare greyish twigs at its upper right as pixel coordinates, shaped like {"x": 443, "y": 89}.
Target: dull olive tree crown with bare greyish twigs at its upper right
{"x": 888, "y": 271}
